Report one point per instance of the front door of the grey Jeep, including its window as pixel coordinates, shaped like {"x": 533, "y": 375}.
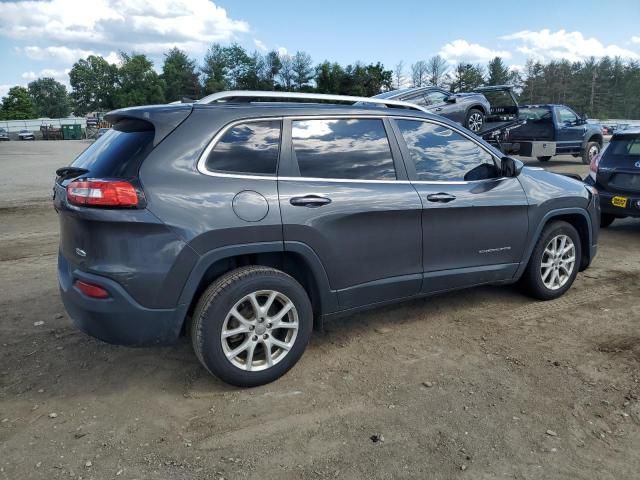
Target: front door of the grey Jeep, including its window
{"x": 474, "y": 220}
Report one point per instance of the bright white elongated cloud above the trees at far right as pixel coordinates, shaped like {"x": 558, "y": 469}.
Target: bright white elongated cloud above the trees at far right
{"x": 546, "y": 45}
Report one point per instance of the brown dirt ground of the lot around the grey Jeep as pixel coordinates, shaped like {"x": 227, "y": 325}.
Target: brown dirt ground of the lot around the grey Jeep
{"x": 480, "y": 384}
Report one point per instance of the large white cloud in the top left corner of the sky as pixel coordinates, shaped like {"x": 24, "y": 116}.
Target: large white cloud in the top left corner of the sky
{"x": 151, "y": 26}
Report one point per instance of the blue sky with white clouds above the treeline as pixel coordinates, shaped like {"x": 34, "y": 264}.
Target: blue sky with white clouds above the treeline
{"x": 45, "y": 37}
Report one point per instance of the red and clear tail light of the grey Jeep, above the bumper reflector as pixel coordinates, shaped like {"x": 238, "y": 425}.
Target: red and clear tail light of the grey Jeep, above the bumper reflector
{"x": 102, "y": 193}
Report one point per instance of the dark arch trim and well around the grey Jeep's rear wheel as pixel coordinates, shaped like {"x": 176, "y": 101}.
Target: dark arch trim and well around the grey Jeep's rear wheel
{"x": 298, "y": 260}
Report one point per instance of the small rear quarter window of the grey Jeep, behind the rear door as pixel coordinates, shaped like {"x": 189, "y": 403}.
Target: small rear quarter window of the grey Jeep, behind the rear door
{"x": 249, "y": 148}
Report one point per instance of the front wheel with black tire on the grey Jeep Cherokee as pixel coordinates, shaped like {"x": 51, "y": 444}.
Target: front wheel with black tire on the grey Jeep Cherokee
{"x": 533, "y": 281}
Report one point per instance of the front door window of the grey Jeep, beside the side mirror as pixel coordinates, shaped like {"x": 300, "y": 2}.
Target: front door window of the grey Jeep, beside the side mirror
{"x": 441, "y": 154}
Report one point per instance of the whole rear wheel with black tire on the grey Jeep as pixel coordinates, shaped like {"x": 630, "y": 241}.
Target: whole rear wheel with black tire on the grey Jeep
{"x": 233, "y": 290}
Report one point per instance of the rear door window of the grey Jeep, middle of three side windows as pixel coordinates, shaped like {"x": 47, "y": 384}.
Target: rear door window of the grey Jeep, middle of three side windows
{"x": 352, "y": 149}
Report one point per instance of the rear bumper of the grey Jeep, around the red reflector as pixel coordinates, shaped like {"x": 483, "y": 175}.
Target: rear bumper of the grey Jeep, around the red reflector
{"x": 118, "y": 319}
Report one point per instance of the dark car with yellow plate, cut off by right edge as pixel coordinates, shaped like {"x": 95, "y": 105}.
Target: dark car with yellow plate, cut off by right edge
{"x": 615, "y": 173}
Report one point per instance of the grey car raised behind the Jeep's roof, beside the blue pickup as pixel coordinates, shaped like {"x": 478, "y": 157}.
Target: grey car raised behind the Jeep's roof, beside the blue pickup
{"x": 468, "y": 109}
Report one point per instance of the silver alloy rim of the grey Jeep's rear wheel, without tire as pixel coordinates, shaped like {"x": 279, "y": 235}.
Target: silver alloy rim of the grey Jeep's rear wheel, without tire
{"x": 260, "y": 330}
